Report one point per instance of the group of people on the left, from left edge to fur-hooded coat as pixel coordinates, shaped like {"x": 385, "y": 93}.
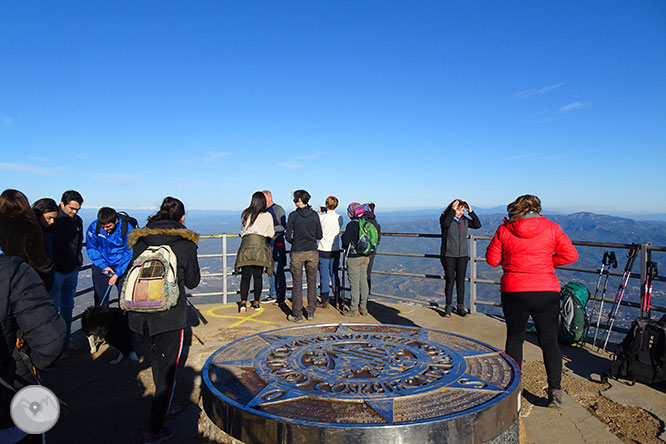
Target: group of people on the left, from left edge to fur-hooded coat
{"x": 42, "y": 254}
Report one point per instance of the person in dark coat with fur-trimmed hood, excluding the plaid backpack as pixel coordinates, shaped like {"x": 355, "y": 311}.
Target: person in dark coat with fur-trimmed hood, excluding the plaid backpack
{"x": 163, "y": 330}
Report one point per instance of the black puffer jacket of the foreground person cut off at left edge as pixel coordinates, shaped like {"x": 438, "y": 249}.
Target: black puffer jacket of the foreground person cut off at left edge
{"x": 25, "y": 305}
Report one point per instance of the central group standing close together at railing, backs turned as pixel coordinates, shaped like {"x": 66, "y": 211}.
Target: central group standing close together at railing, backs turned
{"x": 314, "y": 236}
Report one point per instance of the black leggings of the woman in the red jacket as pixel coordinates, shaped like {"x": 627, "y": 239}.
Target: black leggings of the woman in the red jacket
{"x": 544, "y": 307}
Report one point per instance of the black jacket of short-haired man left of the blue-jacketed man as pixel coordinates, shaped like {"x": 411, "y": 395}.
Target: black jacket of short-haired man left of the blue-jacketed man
{"x": 67, "y": 242}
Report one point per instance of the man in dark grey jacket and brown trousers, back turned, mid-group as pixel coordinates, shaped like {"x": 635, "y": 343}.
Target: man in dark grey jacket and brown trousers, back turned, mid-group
{"x": 303, "y": 232}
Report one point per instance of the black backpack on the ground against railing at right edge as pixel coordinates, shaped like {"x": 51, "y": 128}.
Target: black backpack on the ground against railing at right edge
{"x": 641, "y": 356}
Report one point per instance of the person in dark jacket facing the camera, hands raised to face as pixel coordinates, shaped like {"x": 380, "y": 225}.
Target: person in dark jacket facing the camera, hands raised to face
{"x": 454, "y": 253}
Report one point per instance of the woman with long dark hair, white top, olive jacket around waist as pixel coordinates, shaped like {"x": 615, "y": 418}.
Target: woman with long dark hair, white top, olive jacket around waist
{"x": 254, "y": 254}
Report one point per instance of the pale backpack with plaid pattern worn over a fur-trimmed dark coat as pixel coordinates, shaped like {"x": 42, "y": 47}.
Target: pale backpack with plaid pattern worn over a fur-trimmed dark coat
{"x": 151, "y": 283}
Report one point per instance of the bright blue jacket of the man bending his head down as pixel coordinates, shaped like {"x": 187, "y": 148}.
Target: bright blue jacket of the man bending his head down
{"x": 109, "y": 250}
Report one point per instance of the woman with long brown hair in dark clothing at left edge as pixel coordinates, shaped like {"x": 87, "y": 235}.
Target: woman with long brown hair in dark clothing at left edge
{"x": 21, "y": 234}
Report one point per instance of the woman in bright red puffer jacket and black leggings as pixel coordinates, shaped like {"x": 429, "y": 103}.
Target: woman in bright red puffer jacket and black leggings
{"x": 529, "y": 247}
